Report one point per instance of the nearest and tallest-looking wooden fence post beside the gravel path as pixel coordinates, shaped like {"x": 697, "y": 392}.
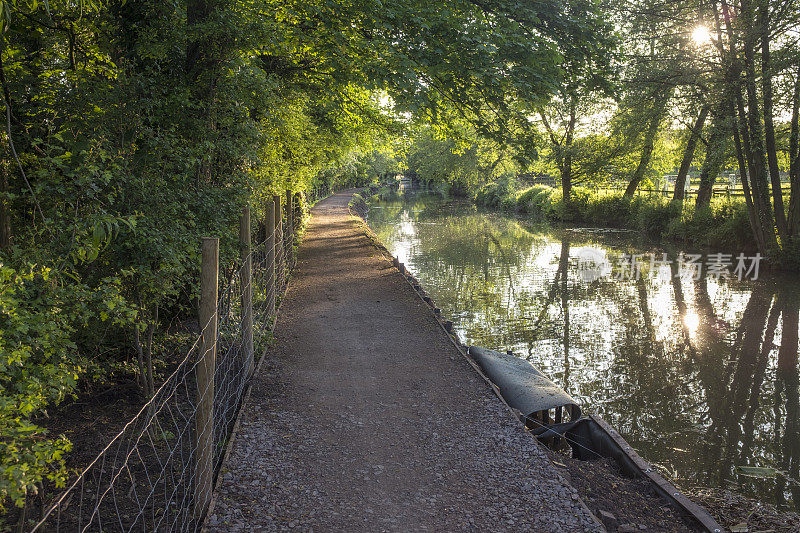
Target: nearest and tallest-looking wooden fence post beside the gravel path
{"x": 204, "y": 416}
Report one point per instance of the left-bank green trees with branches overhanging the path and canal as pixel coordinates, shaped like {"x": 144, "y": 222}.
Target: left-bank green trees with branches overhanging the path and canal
{"x": 138, "y": 127}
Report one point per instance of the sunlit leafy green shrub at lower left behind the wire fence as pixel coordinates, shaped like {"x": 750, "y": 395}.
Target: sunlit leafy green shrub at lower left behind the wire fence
{"x": 40, "y": 363}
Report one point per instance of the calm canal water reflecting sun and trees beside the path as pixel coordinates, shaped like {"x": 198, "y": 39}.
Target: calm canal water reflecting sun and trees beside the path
{"x": 698, "y": 373}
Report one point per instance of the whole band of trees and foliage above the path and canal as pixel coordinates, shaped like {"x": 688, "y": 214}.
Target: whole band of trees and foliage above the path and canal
{"x": 133, "y": 127}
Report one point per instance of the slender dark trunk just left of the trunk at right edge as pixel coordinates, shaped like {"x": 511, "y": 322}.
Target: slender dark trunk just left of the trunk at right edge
{"x": 769, "y": 126}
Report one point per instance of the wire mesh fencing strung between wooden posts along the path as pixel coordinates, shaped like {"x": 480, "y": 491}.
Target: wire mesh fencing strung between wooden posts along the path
{"x": 144, "y": 479}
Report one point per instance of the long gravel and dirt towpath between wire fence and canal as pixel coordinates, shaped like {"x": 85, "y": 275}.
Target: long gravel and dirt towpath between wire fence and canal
{"x": 365, "y": 417}
